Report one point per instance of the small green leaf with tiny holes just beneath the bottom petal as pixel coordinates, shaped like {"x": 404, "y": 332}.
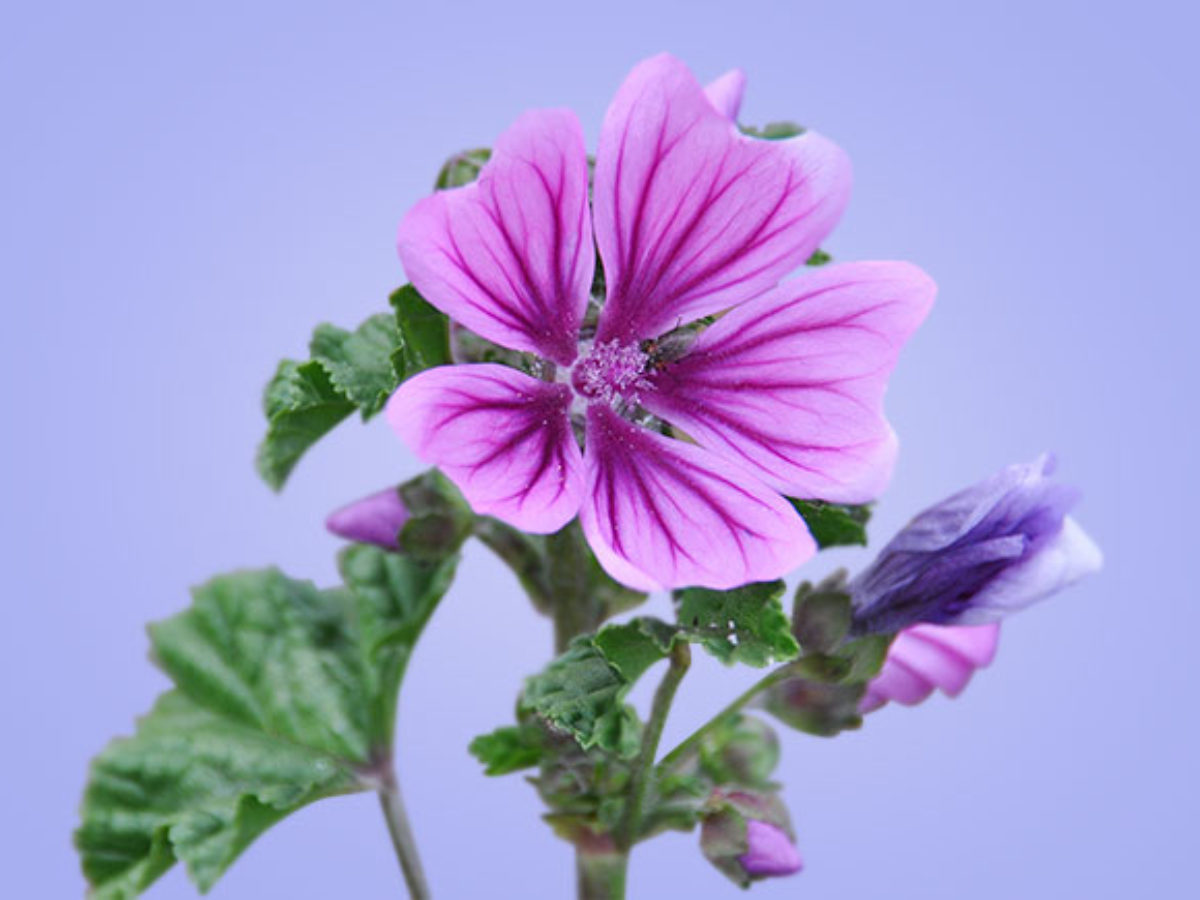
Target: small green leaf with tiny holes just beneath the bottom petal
{"x": 747, "y": 625}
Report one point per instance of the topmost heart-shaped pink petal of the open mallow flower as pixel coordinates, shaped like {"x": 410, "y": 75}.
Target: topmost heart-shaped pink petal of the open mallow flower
{"x": 692, "y": 217}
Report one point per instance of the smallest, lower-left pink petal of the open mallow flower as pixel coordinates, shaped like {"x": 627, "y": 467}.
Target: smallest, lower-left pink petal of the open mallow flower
{"x": 501, "y": 436}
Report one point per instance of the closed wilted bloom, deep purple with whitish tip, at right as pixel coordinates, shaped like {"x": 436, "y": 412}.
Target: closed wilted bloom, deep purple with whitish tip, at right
{"x": 991, "y": 550}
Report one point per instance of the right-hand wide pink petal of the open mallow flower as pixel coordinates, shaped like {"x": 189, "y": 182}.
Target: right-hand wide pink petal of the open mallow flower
{"x": 793, "y": 383}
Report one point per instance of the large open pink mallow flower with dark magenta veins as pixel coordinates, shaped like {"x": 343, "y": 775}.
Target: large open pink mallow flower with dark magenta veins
{"x": 705, "y": 389}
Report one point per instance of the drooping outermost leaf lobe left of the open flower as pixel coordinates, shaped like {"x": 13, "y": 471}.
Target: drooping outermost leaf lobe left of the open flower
{"x": 302, "y": 406}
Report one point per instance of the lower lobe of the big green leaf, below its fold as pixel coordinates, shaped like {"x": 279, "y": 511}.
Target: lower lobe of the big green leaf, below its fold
{"x": 193, "y": 785}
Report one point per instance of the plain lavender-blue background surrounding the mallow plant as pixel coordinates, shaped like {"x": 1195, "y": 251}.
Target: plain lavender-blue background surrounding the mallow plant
{"x": 188, "y": 189}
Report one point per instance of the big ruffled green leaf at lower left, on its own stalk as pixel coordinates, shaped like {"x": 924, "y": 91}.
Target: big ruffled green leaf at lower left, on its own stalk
{"x": 284, "y": 694}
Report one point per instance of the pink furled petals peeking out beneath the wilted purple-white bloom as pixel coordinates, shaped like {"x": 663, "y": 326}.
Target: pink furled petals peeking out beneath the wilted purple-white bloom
{"x": 925, "y": 658}
